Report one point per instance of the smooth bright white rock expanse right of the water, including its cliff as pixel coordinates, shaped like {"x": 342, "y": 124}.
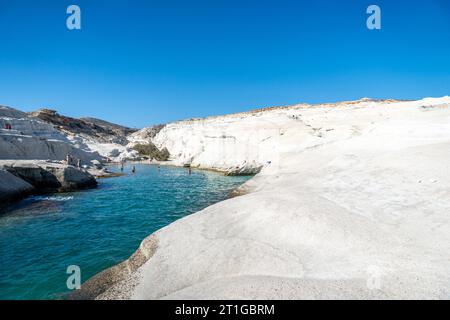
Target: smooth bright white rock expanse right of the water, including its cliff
{"x": 355, "y": 203}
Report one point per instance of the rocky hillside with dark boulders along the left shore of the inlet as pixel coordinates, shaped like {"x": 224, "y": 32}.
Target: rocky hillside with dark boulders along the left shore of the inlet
{"x": 45, "y": 152}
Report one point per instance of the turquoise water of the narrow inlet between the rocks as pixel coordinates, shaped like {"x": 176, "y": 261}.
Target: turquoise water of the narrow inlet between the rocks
{"x": 98, "y": 228}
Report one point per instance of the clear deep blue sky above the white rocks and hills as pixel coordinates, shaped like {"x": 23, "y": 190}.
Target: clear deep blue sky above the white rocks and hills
{"x": 143, "y": 62}
